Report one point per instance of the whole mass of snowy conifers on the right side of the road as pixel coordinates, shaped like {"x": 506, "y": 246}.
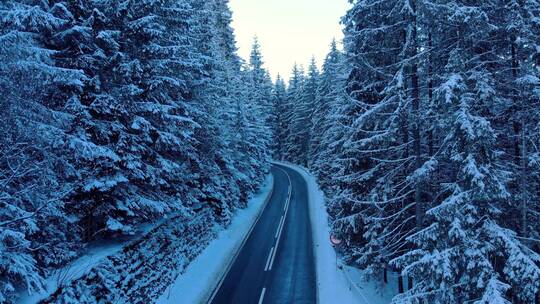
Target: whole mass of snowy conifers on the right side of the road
{"x": 423, "y": 133}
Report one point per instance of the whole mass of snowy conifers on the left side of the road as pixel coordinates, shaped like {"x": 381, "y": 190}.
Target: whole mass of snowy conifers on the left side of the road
{"x": 117, "y": 113}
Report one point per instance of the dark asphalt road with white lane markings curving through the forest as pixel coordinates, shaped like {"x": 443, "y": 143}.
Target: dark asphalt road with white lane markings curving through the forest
{"x": 276, "y": 264}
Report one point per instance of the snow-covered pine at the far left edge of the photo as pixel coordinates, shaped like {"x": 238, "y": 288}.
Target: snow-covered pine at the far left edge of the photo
{"x": 30, "y": 136}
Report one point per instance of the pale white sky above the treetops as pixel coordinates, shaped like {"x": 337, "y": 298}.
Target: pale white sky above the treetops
{"x": 289, "y": 31}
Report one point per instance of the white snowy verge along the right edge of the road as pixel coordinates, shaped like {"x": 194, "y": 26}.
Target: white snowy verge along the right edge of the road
{"x": 335, "y": 284}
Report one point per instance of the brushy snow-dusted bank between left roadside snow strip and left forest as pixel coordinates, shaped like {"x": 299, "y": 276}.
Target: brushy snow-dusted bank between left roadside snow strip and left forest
{"x": 142, "y": 271}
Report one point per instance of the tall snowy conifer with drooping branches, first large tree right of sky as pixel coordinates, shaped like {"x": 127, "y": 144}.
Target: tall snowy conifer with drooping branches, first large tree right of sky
{"x": 375, "y": 200}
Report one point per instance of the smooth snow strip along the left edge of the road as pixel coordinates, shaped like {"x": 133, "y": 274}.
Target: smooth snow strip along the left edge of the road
{"x": 203, "y": 274}
